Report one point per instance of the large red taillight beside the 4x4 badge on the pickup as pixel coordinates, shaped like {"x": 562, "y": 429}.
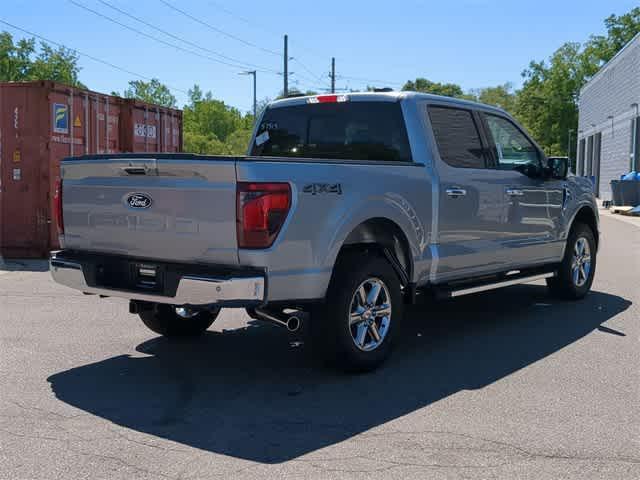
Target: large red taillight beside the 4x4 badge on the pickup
{"x": 261, "y": 210}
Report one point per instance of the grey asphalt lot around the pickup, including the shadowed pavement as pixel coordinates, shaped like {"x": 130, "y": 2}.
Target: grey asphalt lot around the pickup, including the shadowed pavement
{"x": 508, "y": 384}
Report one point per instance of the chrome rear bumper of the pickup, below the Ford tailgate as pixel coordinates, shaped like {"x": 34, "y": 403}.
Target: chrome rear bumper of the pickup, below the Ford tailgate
{"x": 187, "y": 285}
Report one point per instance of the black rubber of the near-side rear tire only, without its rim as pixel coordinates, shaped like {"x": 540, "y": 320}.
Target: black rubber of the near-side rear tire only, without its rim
{"x": 330, "y": 321}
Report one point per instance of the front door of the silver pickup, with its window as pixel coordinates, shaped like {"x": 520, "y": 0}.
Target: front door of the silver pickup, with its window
{"x": 533, "y": 204}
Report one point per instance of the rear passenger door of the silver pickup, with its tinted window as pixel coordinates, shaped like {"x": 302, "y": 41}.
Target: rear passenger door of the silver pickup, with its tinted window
{"x": 470, "y": 211}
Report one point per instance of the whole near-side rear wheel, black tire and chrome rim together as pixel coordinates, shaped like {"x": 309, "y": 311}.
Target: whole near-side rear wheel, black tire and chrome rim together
{"x": 360, "y": 318}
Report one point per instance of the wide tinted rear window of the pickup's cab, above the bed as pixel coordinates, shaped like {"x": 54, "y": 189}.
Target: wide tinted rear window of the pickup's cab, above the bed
{"x": 350, "y": 130}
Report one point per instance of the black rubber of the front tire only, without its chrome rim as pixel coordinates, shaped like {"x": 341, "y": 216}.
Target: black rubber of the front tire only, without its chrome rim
{"x": 564, "y": 285}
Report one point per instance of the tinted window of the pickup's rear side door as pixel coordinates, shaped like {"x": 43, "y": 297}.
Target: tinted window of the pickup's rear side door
{"x": 457, "y": 137}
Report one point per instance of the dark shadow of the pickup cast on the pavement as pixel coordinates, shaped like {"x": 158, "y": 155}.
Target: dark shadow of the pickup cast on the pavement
{"x": 250, "y": 394}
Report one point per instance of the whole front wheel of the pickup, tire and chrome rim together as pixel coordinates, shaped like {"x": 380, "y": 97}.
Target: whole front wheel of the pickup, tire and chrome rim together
{"x": 575, "y": 275}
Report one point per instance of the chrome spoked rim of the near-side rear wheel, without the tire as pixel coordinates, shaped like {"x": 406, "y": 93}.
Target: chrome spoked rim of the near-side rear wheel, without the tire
{"x": 370, "y": 314}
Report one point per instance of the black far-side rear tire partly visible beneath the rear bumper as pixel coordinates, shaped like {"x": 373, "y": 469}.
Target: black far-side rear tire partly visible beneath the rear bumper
{"x": 164, "y": 320}
